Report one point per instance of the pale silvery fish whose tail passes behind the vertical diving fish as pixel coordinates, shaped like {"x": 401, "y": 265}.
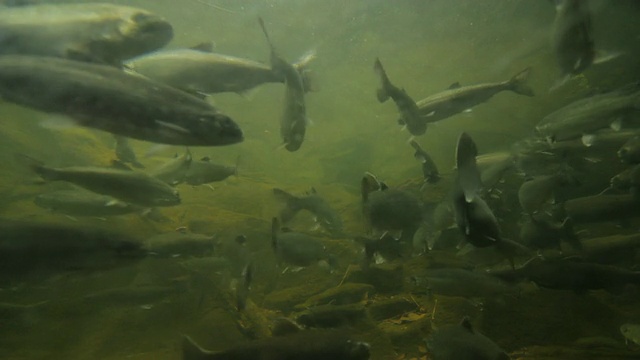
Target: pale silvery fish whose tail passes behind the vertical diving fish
{"x": 203, "y": 72}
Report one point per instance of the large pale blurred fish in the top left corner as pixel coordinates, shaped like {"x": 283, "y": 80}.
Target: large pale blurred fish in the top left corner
{"x": 99, "y": 33}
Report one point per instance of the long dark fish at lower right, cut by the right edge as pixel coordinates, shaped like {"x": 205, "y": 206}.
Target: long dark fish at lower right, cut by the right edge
{"x": 573, "y": 274}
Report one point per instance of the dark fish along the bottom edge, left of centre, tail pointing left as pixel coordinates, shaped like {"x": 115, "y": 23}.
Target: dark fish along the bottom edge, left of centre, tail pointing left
{"x": 318, "y": 344}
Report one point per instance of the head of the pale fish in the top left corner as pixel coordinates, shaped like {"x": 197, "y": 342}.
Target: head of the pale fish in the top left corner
{"x": 137, "y": 32}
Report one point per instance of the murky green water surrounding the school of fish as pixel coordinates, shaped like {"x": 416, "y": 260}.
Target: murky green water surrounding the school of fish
{"x": 425, "y": 45}
